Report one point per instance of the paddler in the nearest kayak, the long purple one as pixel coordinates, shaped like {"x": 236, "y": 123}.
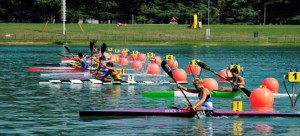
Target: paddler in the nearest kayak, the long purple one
{"x": 205, "y": 100}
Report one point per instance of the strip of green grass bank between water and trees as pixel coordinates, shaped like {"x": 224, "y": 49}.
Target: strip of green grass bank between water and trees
{"x": 139, "y": 34}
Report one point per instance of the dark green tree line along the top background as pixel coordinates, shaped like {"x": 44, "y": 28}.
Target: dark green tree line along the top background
{"x": 153, "y": 11}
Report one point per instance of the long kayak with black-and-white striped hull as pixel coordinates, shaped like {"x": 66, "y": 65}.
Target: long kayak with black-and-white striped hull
{"x": 97, "y": 81}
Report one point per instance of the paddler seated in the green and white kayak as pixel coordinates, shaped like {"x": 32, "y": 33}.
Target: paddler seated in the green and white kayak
{"x": 238, "y": 81}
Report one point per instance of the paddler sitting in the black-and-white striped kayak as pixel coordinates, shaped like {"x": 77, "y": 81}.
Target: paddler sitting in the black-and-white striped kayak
{"x": 112, "y": 71}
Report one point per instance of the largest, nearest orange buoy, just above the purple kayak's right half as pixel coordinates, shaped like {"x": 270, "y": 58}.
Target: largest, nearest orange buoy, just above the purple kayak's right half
{"x": 261, "y": 97}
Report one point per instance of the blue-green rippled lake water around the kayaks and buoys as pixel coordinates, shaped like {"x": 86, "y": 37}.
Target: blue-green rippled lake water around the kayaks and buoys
{"x": 30, "y": 109}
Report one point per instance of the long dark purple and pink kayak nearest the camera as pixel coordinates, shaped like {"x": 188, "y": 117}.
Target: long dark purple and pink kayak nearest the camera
{"x": 173, "y": 112}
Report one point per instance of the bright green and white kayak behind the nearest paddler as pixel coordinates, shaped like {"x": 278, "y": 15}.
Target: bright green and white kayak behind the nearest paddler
{"x": 216, "y": 93}
